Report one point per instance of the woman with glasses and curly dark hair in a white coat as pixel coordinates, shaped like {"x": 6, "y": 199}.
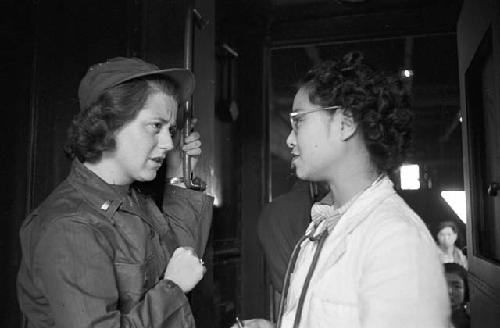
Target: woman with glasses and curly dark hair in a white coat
{"x": 366, "y": 259}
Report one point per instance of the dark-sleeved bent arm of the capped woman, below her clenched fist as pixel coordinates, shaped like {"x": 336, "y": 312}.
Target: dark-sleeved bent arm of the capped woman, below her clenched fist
{"x": 75, "y": 267}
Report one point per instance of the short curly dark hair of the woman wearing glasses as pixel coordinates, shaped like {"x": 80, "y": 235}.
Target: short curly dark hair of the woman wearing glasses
{"x": 377, "y": 100}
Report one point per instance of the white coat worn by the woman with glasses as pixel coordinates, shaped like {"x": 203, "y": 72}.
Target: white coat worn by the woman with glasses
{"x": 379, "y": 268}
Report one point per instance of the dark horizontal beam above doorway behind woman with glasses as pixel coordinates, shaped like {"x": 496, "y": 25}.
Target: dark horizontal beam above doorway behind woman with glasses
{"x": 289, "y": 27}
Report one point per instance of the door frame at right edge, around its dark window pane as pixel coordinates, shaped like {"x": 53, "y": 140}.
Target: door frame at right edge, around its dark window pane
{"x": 478, "y": 21}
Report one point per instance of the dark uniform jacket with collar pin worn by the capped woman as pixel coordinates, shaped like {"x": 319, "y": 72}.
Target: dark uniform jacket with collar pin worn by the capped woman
{"x": 95, "y": 257}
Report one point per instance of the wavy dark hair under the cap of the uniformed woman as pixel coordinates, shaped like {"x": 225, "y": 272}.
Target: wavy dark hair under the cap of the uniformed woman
{"x": 93, "y": 129}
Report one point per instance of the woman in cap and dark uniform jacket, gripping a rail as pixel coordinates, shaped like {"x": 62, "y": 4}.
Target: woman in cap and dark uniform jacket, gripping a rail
{"x": 98, "y": 252}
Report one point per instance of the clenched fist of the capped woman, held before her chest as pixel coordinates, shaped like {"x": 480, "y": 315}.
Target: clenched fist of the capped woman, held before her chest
{"x": 185, "y": 269}
